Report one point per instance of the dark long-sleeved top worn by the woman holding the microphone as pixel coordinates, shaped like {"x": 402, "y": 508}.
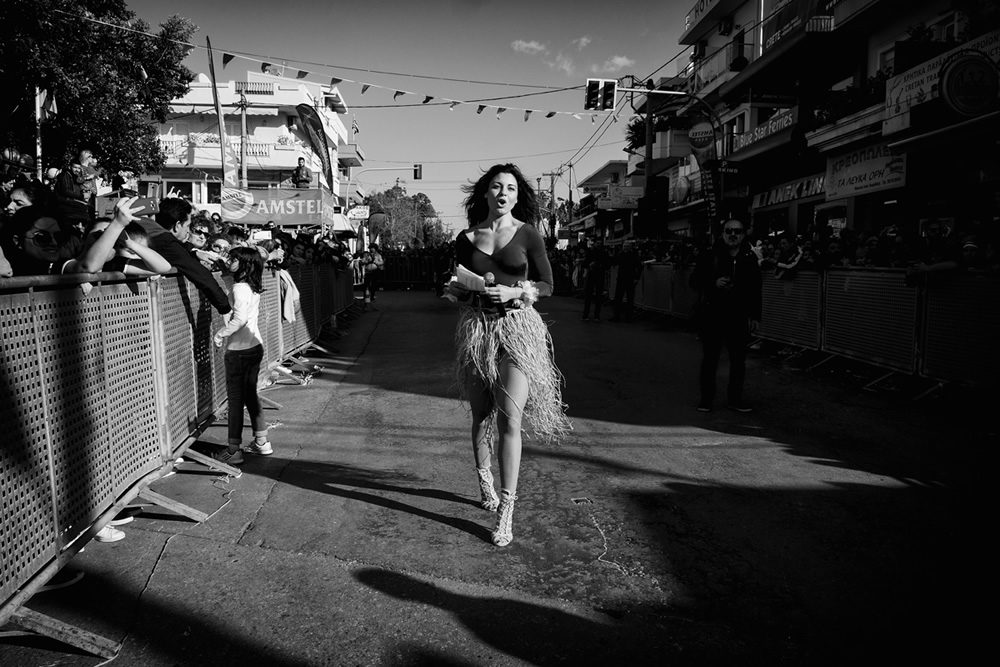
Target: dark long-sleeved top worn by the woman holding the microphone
{"x": 523, "y": 258}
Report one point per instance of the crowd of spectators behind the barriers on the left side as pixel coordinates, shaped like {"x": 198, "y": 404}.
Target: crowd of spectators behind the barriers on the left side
{"x": 50, "y": 227}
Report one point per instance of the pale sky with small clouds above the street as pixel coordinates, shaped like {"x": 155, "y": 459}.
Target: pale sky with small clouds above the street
{"x": 515, "y": 55}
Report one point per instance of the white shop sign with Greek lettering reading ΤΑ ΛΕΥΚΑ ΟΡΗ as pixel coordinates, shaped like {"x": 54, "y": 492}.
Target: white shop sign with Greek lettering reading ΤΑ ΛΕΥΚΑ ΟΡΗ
{"x": 866, "y": 170}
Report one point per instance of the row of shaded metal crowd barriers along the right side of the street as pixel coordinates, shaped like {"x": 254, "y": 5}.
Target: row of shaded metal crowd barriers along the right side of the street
{"x": 944, "y": 330}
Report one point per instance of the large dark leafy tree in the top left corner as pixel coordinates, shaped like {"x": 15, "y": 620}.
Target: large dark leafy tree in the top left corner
{"x": 112, "y": 81}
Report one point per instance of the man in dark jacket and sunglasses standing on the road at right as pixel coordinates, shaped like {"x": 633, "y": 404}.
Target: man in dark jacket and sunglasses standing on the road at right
{"x": 729, "y": 280}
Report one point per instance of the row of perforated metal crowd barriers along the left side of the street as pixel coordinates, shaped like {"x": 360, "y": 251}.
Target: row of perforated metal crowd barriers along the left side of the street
{"x": 99, "y": 394}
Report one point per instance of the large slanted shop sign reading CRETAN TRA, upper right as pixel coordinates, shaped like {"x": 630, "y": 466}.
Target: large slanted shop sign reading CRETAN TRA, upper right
{"x": 921, "y": 83}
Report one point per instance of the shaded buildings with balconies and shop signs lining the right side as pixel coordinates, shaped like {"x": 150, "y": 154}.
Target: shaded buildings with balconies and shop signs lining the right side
{"x": 856, "y": 114}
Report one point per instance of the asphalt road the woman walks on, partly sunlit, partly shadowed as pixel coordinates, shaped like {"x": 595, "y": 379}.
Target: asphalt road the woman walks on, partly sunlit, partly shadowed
{"x": 833, "y": 525}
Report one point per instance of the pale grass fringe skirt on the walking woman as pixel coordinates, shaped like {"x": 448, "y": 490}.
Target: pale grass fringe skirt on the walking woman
{"x": 481, "y": 342}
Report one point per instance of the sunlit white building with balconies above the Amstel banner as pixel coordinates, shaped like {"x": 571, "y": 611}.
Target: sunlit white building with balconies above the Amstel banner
{"x": 270, "y": 123}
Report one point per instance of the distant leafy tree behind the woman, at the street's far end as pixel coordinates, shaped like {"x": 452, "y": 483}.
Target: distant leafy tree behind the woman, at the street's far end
{"x": 409, "y": 221}
